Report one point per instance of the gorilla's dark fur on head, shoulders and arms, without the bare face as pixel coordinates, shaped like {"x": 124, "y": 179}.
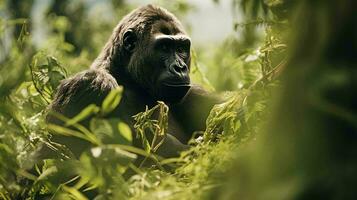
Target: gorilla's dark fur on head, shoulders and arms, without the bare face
{"x": 118, "y": 66}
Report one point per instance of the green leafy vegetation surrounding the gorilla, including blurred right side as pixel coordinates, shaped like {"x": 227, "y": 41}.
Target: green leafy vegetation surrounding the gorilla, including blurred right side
{"x": 273, "y": 138}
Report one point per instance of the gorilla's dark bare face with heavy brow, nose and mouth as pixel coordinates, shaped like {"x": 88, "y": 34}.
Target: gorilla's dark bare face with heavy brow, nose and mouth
{"x": 164, "y": 62}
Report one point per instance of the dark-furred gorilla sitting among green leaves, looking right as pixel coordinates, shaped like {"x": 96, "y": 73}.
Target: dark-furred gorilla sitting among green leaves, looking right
{"x": 149, "y": 55}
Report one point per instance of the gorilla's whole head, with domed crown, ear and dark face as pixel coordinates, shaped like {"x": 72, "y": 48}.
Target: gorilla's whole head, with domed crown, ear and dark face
{"x": 150, "y": 51}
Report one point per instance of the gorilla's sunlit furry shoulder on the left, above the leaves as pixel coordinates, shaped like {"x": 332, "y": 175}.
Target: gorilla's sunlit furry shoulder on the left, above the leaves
{"x": 82, "y": 89}
